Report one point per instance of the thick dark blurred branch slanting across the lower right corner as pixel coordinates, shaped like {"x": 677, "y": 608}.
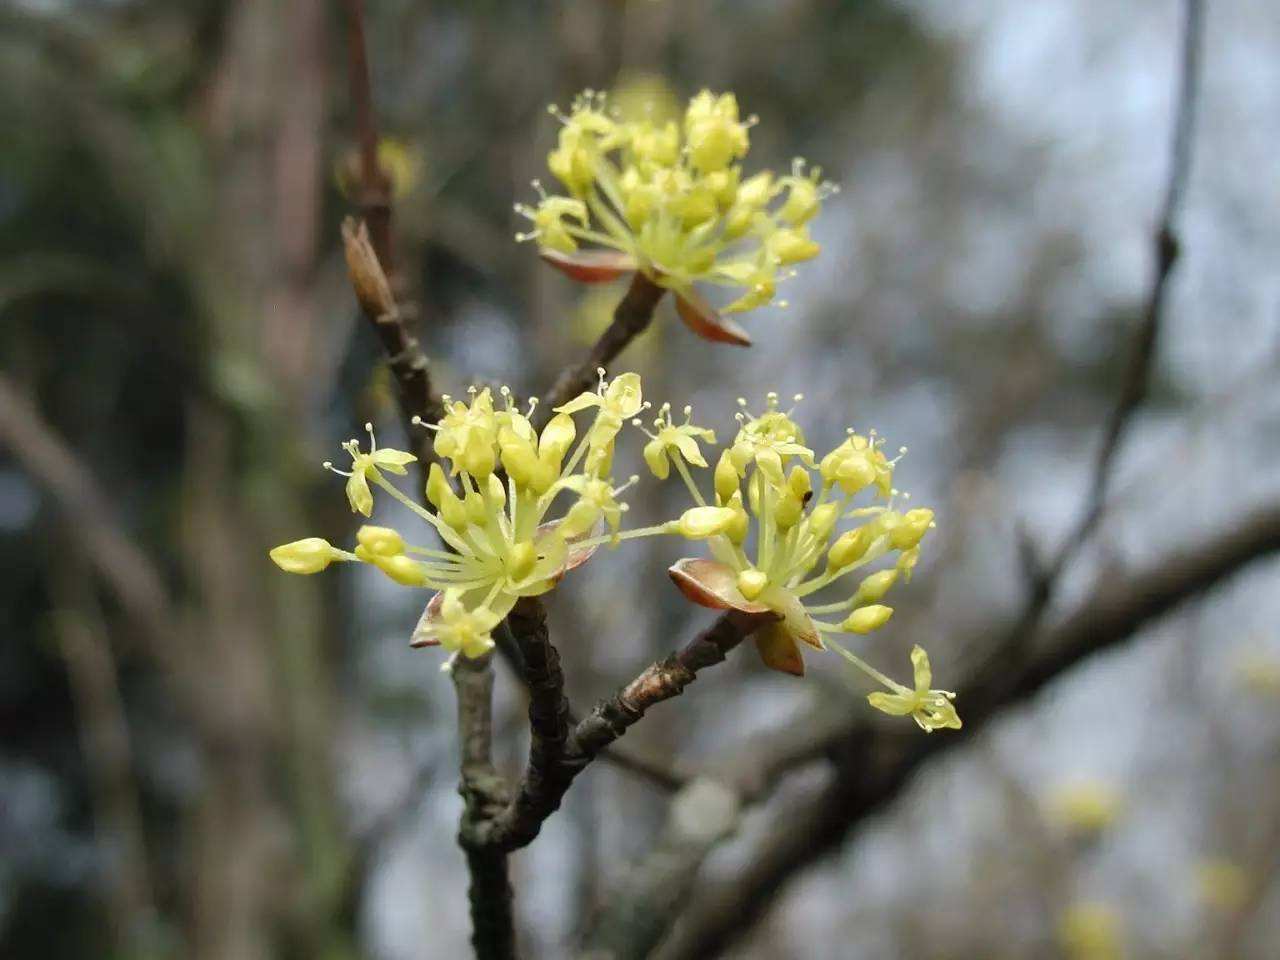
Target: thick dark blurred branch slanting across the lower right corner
{"x": 879, "y": 762}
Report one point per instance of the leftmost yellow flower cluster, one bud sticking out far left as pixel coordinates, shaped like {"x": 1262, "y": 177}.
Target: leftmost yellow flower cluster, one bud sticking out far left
{"x": 504, "y": 545}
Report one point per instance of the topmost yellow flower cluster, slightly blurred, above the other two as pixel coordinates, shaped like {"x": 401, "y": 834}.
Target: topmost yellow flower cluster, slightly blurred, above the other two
{"x": 670, "y": 199}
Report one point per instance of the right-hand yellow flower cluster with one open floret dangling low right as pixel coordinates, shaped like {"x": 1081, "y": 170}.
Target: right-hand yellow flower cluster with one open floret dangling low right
{"x": 775, "y": 518}
